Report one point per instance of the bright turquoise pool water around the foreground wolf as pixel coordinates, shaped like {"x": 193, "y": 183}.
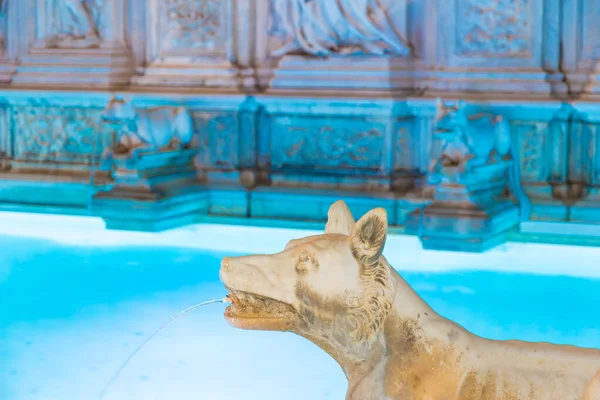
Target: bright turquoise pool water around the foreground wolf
{"x": 72, "y": 313}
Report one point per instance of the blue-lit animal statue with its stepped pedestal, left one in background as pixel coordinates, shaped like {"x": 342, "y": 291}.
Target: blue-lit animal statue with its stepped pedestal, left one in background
{"x": 152, "y": 165}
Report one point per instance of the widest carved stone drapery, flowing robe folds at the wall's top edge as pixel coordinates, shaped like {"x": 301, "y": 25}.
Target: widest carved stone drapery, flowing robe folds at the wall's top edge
{"x": 325, "y": 27}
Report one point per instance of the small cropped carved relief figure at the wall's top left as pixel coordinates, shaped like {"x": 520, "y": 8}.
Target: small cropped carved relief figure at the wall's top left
{"x": 73, "y": 25}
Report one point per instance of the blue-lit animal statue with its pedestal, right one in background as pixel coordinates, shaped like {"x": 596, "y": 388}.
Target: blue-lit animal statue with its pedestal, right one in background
{"x": 476, "y": 188}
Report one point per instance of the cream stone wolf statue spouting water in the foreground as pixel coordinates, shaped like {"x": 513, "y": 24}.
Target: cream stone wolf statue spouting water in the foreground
{"x": 338, "y": 291}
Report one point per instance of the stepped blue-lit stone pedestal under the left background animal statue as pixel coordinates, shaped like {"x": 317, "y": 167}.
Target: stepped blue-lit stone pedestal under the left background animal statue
{"x": 152, "y": 192}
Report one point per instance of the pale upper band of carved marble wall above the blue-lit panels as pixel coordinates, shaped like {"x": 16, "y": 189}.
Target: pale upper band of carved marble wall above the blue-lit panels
{"x": 498, "y": 46}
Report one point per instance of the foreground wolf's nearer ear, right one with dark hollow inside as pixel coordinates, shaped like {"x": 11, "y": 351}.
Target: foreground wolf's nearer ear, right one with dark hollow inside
{"x": 368, "y": 236}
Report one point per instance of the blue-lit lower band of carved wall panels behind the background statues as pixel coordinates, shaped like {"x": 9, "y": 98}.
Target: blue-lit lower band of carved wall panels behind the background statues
{"x": 243, "y": 173}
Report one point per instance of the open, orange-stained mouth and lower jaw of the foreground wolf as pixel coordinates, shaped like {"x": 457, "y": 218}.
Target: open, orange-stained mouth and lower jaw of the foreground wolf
{"x": 252, "y": 311}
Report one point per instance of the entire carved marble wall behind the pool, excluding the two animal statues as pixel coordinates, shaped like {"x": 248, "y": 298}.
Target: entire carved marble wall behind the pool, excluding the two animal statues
{"x": 294, "y": 103}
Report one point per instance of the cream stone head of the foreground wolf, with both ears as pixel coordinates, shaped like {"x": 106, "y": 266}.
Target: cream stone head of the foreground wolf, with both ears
{"x": 336, "y": 285}
